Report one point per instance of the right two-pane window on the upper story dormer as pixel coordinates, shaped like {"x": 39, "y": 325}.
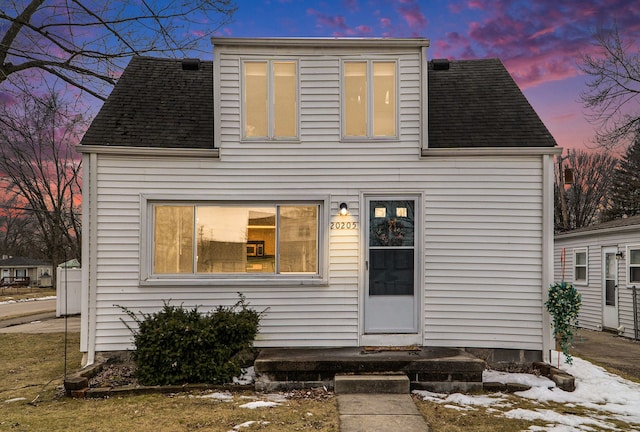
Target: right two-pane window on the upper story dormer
{"x": 369, "y": 99}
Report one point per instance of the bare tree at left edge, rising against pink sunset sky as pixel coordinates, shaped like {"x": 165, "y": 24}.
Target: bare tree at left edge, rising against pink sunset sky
{"x": 39, "y": 164}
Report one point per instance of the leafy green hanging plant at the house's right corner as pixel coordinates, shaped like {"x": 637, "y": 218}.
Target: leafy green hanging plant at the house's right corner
{"x": 564, "y": 306}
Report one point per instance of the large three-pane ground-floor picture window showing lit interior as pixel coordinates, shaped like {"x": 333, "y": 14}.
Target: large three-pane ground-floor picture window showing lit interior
{"x": 224, "y": 239}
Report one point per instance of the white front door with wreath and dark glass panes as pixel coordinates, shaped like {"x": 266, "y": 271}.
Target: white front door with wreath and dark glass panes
{"x": 391, "y": 284}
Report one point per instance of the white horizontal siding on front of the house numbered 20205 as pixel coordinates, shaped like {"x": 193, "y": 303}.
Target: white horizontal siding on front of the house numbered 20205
{"x": 481, "y": 247}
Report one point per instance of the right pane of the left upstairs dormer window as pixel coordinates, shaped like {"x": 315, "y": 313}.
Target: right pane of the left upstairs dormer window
{"x": 285, "y": 99}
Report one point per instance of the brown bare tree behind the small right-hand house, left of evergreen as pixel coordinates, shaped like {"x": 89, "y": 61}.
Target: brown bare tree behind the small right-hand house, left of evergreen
{"x": 587, "y": 197}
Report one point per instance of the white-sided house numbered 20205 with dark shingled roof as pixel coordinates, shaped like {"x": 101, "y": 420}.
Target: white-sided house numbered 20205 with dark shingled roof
{"x": 205, "y": 179}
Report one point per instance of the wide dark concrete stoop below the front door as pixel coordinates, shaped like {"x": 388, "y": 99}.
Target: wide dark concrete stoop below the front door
{"x": 435, "y": 369}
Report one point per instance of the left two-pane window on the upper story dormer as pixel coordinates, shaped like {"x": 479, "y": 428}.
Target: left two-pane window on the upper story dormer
{"x": 270, "y": 96}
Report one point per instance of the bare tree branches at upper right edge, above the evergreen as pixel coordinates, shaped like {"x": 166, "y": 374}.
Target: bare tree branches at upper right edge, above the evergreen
{"x": 613, "y": 90}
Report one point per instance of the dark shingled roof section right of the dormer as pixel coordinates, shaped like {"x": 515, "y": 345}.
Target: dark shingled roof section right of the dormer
{"x": 476, "y": 103}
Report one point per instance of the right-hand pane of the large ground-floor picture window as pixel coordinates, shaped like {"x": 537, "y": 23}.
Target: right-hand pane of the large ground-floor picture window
{"x": 298, "y": 239}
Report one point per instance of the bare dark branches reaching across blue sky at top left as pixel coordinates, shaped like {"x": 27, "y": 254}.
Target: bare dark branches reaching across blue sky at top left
{"x": 86, "y": 42}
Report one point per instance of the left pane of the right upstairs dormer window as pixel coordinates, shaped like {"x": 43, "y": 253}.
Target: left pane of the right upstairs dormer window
{"x": 355, "y": 98}
